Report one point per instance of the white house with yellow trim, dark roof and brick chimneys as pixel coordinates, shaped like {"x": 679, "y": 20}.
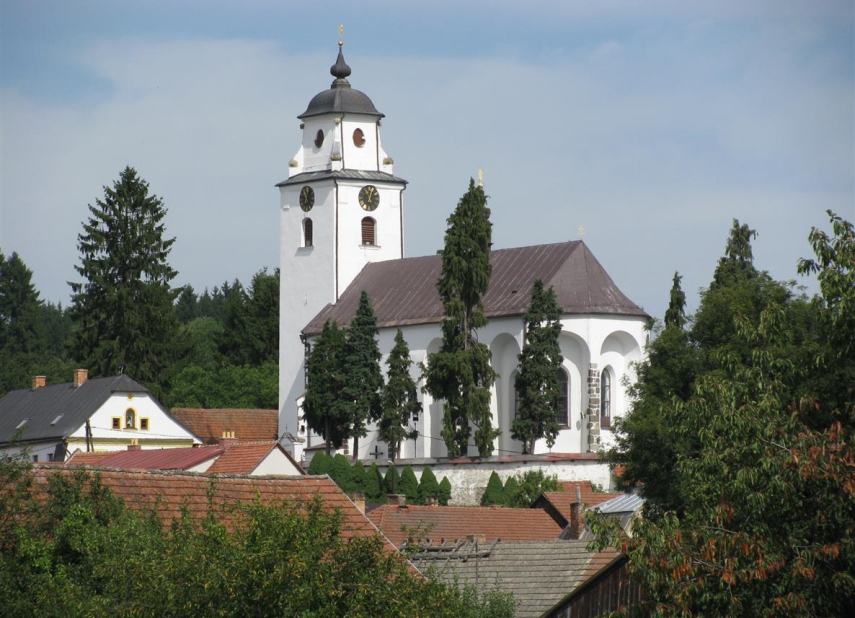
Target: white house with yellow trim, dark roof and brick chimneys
{"x": 101, "y": 414}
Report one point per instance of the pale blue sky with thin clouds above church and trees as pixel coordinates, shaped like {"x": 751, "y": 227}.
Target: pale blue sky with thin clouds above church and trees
{"x": 649, "y": 124}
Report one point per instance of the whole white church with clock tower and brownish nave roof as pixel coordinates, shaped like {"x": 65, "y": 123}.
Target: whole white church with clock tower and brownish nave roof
{"x": 342, "y": 232}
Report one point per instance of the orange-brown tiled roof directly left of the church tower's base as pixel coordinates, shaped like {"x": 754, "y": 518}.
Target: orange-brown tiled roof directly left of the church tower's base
{"x": 248, "y": 424}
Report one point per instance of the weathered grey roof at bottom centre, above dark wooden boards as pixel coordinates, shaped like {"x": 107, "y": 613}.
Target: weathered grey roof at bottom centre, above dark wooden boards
{"x": 538, "y": 573}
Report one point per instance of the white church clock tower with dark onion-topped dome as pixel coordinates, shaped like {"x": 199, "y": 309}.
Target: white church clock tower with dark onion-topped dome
{"x": 341, "y": 208}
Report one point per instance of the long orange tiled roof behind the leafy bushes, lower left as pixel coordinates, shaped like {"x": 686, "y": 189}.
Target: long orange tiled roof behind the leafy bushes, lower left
{"x": 168, "y": 492}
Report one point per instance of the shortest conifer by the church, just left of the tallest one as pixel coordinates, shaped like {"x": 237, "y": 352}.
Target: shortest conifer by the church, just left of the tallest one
{"x": 399, "y": 401}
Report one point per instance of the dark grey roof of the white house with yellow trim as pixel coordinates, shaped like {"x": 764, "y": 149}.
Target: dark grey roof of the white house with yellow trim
{"x": 58, "y": 411}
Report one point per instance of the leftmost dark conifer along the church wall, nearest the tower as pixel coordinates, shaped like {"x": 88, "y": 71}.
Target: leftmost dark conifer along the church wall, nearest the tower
{"x": 325, "y": 408}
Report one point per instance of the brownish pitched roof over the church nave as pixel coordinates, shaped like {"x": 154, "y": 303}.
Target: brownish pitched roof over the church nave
{"x": 404, "y": 291}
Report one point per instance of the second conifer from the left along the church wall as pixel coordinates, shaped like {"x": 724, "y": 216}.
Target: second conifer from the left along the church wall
{"x": 363, "y": 378}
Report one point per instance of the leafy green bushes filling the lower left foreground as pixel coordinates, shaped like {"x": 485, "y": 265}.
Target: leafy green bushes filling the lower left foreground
{"x": 84, "y": 554}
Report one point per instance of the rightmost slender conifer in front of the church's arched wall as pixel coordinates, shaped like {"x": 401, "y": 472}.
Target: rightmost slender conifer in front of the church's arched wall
{"x": 537, "y": 381}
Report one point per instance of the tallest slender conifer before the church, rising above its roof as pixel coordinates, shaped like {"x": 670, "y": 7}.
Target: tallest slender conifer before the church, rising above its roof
{"x": 460, "y": 373}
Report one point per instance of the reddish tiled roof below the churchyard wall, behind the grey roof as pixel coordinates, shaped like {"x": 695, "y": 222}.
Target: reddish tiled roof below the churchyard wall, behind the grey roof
{"x": 456, "y": 522}
